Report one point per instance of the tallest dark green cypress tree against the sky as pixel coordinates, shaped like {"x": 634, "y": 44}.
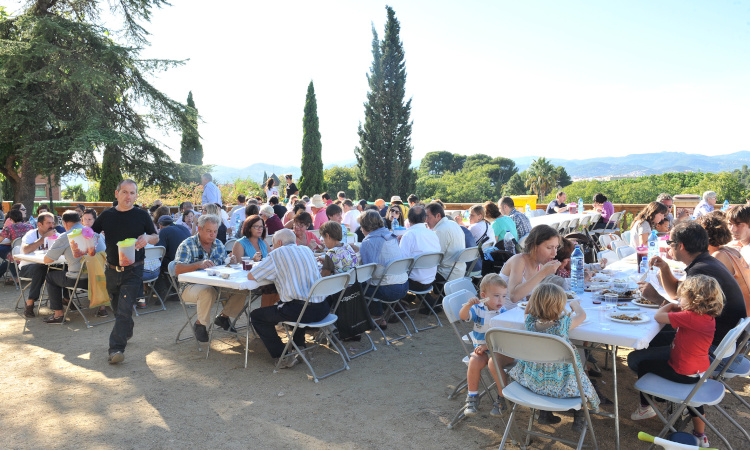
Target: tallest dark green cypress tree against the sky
{"x": 384, "y": 151}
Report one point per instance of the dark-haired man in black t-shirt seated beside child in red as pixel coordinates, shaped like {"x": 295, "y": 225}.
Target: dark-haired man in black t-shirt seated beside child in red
{"x": 688, "y": 243}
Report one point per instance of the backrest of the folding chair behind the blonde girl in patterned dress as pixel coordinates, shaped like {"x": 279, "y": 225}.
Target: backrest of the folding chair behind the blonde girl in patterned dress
{"x": 529, "y": 346}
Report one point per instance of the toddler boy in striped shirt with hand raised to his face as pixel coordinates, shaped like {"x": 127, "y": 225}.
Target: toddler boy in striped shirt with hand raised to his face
{"x": 493, "y": 290}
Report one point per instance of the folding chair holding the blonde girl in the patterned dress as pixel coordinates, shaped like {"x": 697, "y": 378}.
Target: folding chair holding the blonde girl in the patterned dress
{"x": 540, "y": 348}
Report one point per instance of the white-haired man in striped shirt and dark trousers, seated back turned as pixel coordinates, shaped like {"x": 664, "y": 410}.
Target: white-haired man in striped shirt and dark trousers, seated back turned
{"x": 294, "y": 270}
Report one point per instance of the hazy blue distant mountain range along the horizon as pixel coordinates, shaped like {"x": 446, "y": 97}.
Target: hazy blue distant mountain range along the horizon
{"x": 632, "y": 165}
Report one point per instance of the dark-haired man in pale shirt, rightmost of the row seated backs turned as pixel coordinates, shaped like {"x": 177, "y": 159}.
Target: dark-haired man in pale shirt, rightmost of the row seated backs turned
{"x": 451, "y": 239}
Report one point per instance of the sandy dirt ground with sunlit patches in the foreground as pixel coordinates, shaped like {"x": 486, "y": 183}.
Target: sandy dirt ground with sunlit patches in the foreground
{"x": 59, "y": 392}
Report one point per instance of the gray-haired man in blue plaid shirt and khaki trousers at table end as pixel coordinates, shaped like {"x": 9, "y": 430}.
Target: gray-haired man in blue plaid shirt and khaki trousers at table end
{"x": 200, "y": 252}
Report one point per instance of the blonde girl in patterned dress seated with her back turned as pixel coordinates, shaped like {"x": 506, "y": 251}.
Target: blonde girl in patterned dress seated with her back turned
{"x": 545, "y": 313}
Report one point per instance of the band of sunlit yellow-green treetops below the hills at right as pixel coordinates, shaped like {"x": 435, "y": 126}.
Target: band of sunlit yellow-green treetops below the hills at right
{"x": 645, "y": 189}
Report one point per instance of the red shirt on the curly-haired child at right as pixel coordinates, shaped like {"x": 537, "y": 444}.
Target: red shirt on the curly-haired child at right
{"x": 695, "y": 333}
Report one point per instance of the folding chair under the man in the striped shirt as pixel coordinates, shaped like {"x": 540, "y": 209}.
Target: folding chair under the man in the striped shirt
{"x": 322, "y": 288}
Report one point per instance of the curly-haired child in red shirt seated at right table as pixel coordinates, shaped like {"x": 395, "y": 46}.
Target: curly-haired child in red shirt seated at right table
{"x": 701, "y": 300}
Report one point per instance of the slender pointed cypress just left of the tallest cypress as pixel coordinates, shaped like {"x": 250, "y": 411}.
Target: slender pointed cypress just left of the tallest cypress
{"x": 311, "y": 181}
